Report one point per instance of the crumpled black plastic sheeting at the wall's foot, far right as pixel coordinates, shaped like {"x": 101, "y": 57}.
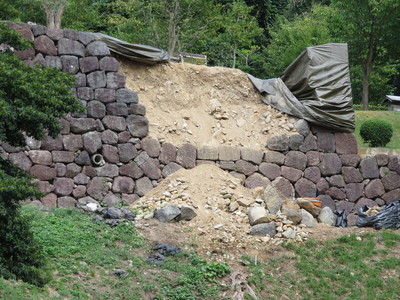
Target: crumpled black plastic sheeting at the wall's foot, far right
{"x": 389, "y": 217}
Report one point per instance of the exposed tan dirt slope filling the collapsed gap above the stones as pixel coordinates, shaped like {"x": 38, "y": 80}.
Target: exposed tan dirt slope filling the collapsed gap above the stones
{"x": 204, "y": 105}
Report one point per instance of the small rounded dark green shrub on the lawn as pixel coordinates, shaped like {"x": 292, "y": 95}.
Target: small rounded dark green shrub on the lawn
{"x": 376, "y": 132}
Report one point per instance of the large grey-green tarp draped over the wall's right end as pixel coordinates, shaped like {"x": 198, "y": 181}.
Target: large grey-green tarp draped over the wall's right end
{"x": 315, "y": 87}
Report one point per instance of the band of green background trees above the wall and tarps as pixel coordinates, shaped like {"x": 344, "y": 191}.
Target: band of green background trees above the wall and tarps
{"x": 258, "y": 36}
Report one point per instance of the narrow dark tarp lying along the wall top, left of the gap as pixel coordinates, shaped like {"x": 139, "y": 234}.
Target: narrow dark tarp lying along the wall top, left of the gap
{"x": 141, "y": 53}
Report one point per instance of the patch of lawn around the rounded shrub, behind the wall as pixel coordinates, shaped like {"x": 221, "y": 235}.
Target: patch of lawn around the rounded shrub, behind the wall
{"x": 391, "y": 116}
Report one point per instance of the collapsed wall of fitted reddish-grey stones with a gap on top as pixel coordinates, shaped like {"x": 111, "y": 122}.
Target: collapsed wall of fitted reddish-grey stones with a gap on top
{"x": 310, "y": 164}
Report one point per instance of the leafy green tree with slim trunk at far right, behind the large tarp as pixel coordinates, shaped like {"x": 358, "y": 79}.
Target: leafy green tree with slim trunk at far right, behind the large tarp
{"x": 371, "y": 29}
